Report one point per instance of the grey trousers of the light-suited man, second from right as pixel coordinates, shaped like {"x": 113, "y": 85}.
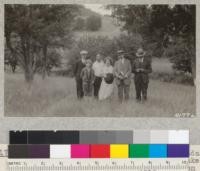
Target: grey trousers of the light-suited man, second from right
{"x": 123, "y": 91}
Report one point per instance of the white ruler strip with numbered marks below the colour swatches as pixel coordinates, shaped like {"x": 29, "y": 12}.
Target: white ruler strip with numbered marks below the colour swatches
{"x": 99, "y": 165}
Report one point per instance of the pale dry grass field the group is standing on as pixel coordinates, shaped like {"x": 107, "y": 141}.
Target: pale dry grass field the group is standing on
{"x": 56, "y": 96}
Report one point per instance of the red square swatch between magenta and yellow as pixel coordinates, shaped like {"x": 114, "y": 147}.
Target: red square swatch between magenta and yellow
{"x": 99, "y": 151}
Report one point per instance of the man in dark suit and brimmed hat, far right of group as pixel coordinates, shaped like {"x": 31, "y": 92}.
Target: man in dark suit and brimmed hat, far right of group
{"x": 141, "y": 68}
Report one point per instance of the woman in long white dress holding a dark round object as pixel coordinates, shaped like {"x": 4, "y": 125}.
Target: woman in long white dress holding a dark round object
{"x": 107, "y": 85}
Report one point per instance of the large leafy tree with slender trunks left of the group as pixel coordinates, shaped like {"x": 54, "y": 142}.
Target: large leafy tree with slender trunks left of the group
{"x": 30, "y": 30}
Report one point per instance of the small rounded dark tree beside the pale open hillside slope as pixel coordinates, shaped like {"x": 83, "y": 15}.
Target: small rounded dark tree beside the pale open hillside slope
{"x": 93, "y": 23}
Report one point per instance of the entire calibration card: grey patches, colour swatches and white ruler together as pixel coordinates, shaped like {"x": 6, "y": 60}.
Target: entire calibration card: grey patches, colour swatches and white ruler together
{"x": 138, "y": 150}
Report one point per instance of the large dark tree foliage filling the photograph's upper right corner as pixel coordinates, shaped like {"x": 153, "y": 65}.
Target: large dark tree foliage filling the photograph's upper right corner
{"x": 163, "y": 28}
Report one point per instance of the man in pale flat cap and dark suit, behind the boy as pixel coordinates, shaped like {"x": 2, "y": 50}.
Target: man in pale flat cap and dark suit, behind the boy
{"x": 79, "y": 65}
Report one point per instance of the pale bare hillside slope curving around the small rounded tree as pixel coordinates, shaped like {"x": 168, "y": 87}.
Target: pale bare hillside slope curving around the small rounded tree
{"x": 108, "y": 27}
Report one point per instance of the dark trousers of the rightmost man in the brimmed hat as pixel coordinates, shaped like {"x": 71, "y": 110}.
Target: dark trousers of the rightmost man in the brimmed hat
{"x": 141, "y": 87}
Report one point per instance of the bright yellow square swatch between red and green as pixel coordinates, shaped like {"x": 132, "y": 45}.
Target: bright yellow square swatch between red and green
{"x": 119, "y": 151}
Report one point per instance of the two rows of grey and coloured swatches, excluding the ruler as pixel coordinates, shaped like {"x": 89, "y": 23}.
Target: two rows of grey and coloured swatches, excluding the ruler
{"x": 99, "y": 144}
